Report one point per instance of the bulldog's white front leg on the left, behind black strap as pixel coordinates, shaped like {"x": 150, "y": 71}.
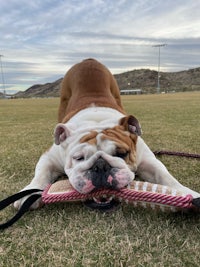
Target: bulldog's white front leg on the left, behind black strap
{"x": 47, "y": 170}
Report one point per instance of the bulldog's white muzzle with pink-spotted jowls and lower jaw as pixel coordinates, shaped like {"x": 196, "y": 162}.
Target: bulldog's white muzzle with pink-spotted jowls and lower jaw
{"x": 101, "y": 171}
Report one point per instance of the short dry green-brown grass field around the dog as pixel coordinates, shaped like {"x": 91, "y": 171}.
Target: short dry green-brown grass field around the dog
{"x": 70, "y": 234}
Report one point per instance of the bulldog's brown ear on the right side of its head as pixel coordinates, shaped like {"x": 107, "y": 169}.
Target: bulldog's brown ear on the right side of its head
{"x": 131, "y": 124}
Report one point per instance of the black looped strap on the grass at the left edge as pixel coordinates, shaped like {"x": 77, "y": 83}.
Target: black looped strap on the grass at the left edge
{"x": 24, "y": 208}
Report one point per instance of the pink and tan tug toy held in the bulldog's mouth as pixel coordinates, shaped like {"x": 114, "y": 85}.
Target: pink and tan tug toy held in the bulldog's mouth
{"x": 139, "y": 194}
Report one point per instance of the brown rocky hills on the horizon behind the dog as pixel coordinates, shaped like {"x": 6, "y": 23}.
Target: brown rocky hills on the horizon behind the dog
{"x": 144, "y": 79}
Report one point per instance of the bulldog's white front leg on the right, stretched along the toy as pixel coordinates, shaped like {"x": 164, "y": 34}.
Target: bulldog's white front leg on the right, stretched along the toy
{"x": 152, "y": 170}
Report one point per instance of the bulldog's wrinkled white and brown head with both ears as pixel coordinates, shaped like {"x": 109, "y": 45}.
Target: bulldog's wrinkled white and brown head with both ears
{"x": 103, "y": 158}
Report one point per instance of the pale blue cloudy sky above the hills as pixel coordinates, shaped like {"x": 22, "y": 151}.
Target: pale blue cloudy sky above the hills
{"x": 41, "y": 39}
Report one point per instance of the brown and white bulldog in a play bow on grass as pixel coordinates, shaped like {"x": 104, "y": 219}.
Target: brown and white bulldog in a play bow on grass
{"x": 97, "y": 145}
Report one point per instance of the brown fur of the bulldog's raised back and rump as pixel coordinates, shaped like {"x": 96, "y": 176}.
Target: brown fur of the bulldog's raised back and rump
{"x": 86, "y": 83}
